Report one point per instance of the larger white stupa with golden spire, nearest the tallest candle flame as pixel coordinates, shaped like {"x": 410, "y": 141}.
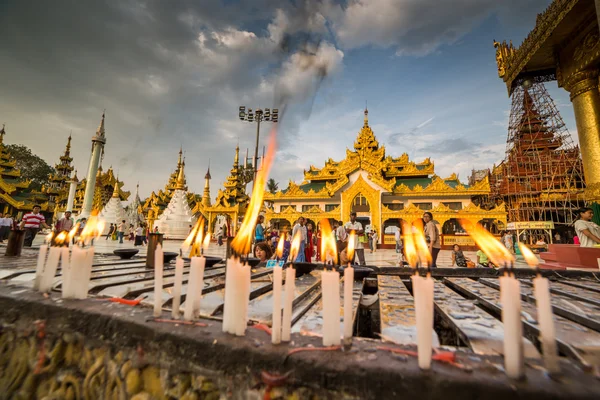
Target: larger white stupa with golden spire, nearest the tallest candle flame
{"x": 175, "y": 221}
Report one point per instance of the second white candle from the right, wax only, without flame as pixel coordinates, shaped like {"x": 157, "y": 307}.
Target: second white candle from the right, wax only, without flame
{"x": 510, "y": 298}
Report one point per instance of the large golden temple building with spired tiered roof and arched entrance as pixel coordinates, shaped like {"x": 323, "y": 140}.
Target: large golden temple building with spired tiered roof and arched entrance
{"x": 383, "y": 190}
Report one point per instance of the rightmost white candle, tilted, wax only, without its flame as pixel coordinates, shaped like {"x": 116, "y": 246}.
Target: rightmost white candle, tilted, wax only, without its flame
{"x": 546, "y": 324}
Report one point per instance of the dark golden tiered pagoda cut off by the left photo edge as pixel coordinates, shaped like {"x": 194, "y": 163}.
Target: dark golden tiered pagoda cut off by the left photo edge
{"x": 16, "y": 197}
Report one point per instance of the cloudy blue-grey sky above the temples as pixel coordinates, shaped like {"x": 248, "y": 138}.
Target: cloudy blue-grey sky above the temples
{"x": 173, "y": 73}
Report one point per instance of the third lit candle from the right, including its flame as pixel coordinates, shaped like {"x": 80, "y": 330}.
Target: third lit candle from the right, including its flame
{"x": 423, "y": 298}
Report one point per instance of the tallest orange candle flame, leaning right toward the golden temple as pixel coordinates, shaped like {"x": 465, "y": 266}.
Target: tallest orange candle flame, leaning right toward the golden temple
{"x": 242, "y": 243}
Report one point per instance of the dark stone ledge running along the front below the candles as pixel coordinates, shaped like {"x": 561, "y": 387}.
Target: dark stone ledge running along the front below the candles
{"x": 362, "y": 372}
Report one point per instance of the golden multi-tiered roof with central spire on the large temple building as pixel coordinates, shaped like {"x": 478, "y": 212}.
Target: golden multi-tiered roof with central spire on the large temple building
{"x": 398, "y": 175}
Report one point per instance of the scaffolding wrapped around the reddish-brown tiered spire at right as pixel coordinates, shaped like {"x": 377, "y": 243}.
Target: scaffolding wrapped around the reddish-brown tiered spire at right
{"x": 541, "y": 177}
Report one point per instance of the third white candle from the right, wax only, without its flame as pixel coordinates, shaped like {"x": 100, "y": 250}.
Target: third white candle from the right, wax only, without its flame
{"x": 423, "y": 297}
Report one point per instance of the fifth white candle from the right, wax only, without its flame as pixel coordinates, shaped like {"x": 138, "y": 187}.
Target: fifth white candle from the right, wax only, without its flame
{"x": 330, "y": 282}
